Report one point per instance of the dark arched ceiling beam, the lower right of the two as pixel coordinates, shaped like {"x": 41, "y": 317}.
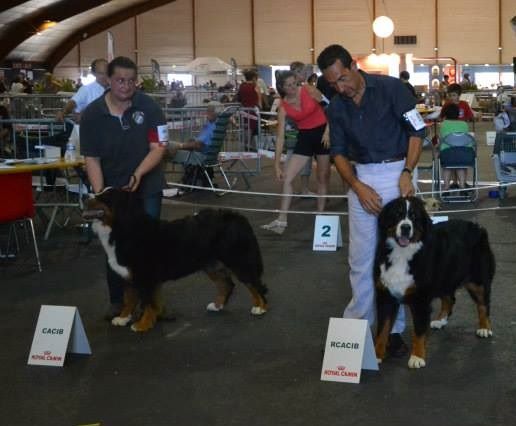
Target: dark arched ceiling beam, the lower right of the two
{"x": 96, "y": 27}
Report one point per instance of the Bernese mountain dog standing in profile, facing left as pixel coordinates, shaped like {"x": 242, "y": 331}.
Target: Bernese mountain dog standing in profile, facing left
{"x": 146, "y": 252}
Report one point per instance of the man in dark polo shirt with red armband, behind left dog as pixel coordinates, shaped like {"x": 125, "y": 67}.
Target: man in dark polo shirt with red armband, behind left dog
{"x": 123, "y": 139}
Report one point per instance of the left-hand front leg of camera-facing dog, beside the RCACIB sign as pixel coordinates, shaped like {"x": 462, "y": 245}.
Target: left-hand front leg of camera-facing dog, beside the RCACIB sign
{"x": 386, "y": 310}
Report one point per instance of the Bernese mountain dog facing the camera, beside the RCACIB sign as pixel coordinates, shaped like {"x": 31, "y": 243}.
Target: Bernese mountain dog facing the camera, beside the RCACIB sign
{"x": 416, "y": 262}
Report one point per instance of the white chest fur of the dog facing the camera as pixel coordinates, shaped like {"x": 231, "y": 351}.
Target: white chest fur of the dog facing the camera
{"x": 397, "y": 277}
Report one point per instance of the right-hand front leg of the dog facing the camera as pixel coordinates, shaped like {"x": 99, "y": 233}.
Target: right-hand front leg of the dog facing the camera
{"x": 421, "y": 318}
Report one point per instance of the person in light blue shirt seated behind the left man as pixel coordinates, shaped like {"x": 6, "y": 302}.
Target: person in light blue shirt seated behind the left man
{"x": 184, "y": 152}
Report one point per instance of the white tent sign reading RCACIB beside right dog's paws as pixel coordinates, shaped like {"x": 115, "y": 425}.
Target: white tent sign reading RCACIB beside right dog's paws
{"x": 349, "y": 350}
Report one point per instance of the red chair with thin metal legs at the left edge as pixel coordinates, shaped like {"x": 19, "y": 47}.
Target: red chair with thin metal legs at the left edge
{"x": 17, "y": 207}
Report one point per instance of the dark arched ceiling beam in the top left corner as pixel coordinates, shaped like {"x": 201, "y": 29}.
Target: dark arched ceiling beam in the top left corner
{"x": 25, "y": 27}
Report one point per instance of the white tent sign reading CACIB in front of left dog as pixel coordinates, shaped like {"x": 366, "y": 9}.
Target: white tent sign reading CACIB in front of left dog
{"x": 59, "y": 330}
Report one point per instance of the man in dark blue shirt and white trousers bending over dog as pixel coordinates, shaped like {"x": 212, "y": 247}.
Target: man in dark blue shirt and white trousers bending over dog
{"x": 368, "y": 126}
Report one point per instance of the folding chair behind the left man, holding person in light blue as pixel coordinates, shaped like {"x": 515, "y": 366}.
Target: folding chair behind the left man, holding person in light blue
{"x": 209, "y": 159}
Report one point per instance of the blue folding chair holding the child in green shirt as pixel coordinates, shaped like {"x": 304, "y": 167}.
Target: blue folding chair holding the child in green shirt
{"x": 461, "y": 154}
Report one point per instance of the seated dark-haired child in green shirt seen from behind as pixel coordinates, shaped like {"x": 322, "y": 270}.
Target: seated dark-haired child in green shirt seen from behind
{"x": 456, "y": 155}
